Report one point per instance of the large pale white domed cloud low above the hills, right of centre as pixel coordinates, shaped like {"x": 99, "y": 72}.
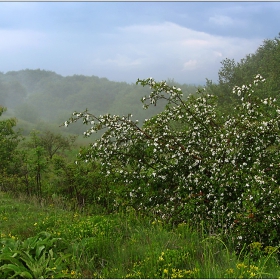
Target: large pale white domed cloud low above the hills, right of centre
{"x": 169, "y": 50}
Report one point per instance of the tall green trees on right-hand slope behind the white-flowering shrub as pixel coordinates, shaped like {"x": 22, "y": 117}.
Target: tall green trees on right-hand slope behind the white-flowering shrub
{"x": 265, "y": 60}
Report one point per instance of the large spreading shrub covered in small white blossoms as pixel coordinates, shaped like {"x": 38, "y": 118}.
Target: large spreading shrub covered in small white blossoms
{"x": 190, "y": 162}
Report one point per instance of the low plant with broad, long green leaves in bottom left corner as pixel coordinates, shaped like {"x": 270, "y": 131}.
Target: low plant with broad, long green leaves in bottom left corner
{"x": 41, "y": 256}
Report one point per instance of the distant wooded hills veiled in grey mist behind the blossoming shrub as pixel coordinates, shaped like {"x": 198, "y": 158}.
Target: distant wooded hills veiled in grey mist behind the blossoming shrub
{"x": 42, "y": 99}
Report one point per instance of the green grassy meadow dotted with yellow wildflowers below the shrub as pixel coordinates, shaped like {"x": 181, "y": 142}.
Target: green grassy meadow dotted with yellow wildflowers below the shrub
{"x": 127, "y": 245}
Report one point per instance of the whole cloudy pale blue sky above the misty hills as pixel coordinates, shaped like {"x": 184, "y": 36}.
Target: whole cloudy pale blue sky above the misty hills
{"x": 124, "y": 41}
